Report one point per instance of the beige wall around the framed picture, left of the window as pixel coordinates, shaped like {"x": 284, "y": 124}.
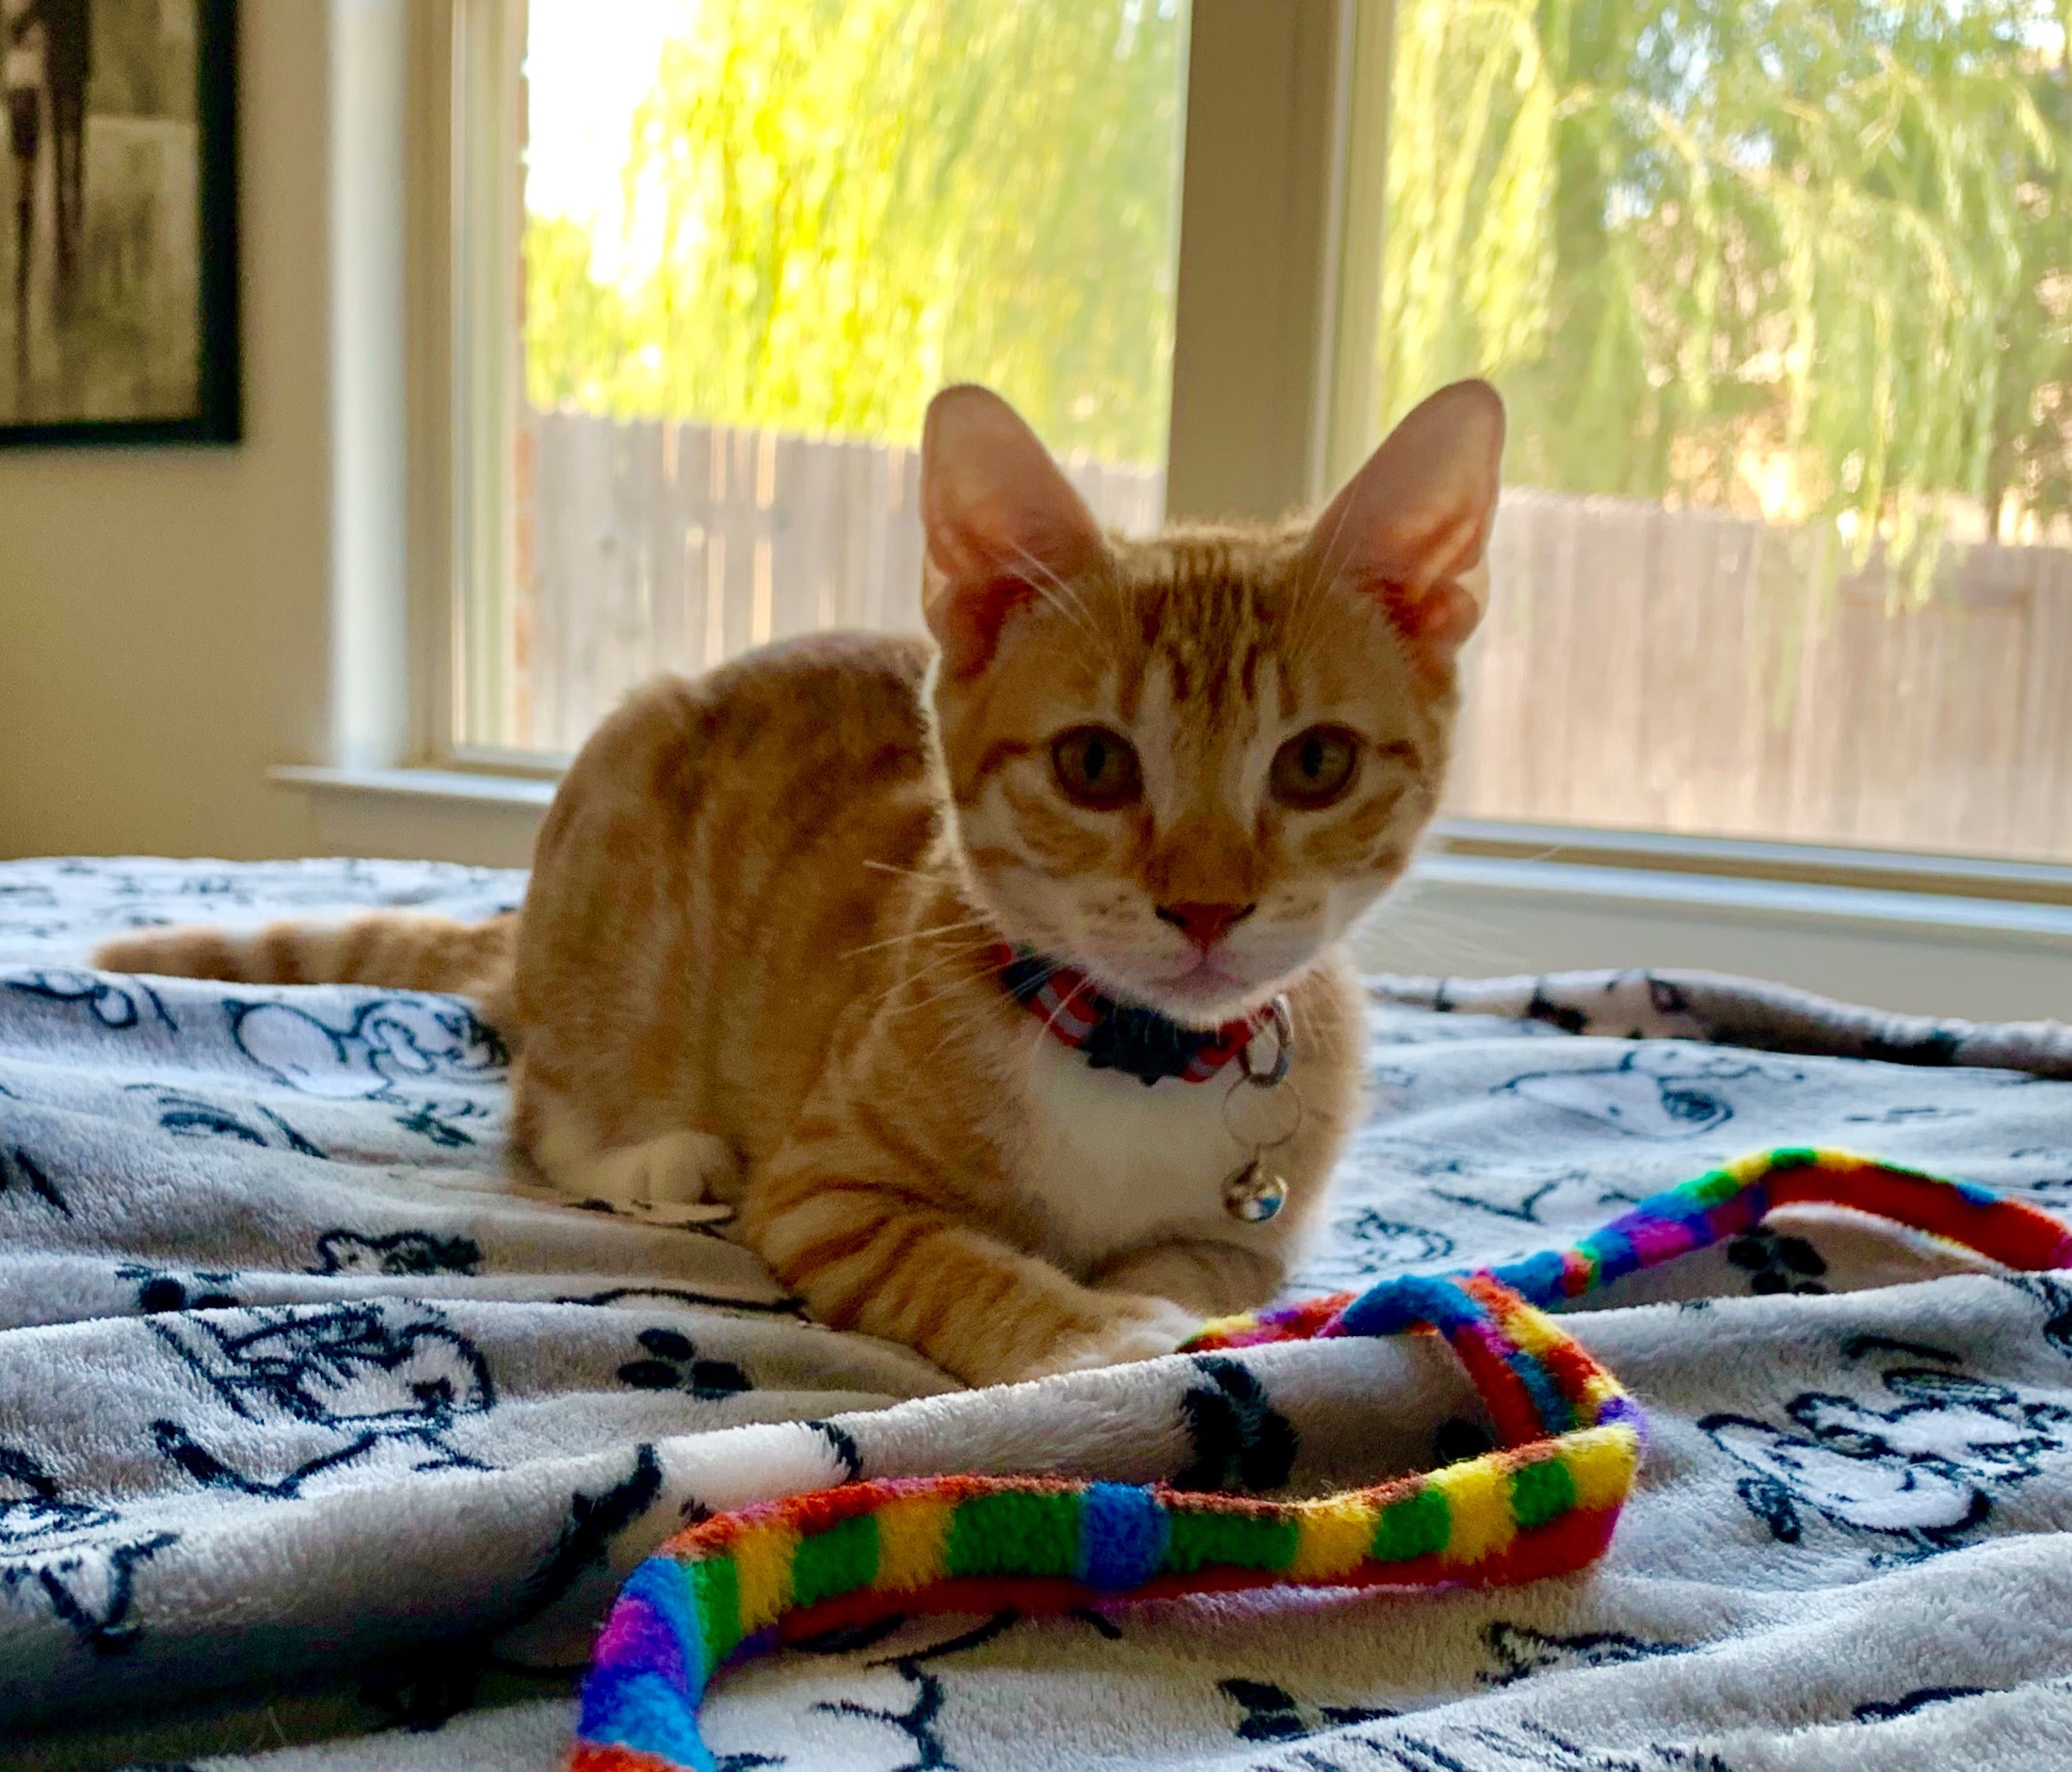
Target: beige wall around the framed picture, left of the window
{"x": 165, "y": 617}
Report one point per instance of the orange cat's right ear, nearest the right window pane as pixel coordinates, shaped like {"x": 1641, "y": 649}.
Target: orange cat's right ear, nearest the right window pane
{"x": 1414, "y": 523}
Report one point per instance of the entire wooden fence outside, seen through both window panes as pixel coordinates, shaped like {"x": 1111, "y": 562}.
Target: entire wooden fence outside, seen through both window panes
{"x": 1648, "y": 668}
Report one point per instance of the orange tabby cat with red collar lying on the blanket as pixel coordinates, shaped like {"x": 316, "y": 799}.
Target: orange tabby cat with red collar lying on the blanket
{"x": 788, "y": 923}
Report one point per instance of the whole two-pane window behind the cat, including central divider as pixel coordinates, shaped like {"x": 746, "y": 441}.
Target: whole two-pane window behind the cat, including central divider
{"x": 1779, "y": 293}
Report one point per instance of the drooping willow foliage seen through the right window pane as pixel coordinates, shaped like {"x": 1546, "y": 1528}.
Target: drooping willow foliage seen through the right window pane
{"x": 1835, "y": 233}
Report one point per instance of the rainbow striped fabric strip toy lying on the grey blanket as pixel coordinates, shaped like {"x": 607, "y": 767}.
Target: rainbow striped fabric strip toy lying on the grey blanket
{"x": 1545, "y": 1504}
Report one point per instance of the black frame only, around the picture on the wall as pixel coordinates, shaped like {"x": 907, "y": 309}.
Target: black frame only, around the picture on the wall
{"x": 221, "y": 382}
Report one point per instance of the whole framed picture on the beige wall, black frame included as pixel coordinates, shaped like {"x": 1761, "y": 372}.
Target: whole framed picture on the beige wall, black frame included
{"x": 119, "y": 248}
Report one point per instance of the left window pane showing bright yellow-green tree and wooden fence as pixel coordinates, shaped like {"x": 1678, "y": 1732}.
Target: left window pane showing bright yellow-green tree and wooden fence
{"x": 757, "y": 237}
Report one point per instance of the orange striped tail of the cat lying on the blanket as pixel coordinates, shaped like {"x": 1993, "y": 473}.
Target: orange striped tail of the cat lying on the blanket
{"x": 393, "y": 948}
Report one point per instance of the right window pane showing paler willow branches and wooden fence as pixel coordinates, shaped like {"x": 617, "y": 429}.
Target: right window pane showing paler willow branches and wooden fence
{"x": 1779, "y": 297}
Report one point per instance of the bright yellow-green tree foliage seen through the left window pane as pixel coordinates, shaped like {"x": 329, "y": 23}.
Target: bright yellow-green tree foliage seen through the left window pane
{"x": 853, "y": 202}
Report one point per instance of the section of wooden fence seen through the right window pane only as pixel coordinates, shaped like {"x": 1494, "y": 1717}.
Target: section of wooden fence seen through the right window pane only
{"x": 1700, "y": 673}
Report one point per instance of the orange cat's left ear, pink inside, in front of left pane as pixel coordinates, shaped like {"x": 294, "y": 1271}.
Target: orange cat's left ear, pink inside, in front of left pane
{"x": 1000, "y": 521}
